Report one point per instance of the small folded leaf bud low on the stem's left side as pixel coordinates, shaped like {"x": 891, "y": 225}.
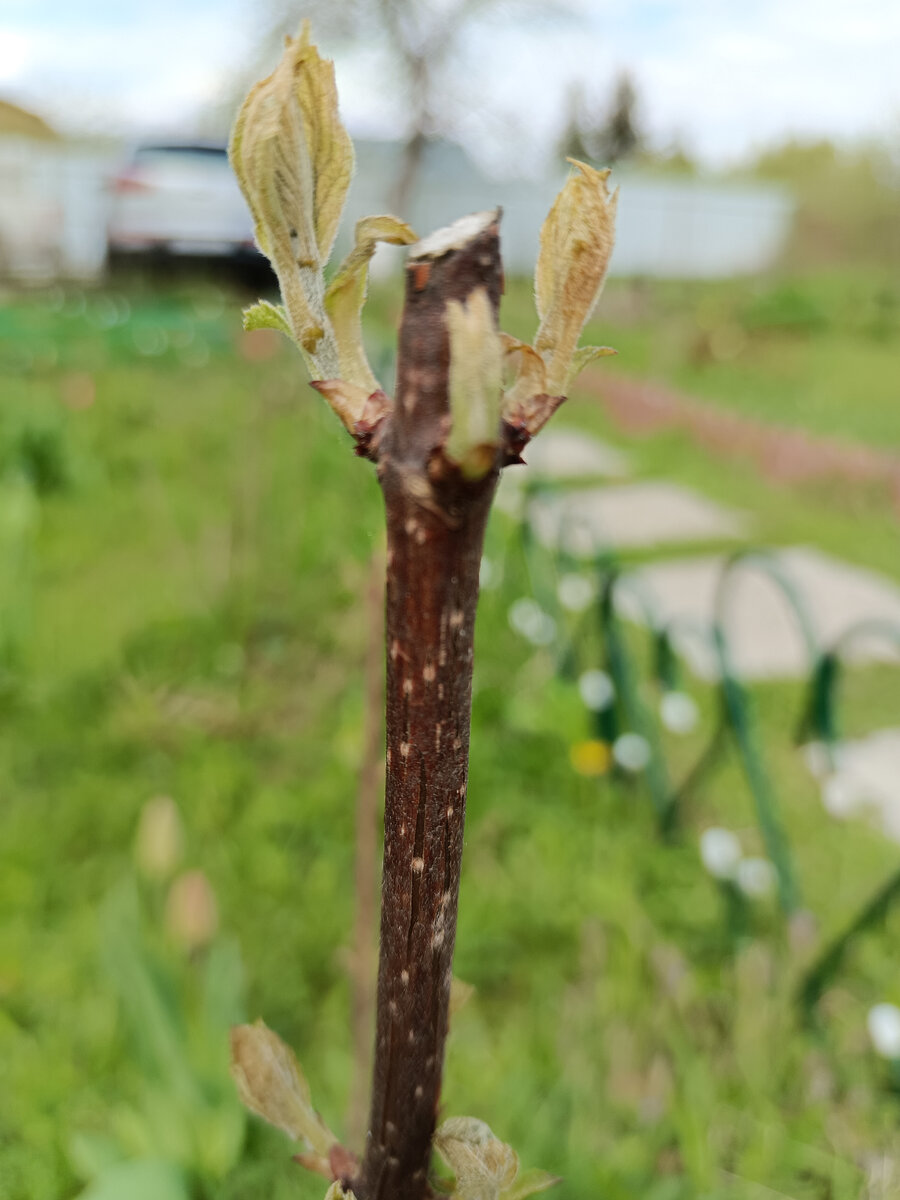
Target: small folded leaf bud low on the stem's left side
{"x": 272, "y": 1084}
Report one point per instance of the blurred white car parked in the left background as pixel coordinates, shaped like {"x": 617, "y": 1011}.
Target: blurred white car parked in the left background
{"x": 181, "y": 200}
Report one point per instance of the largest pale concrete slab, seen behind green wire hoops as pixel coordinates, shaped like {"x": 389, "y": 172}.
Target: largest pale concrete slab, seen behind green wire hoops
{"x": 764, "y": 635}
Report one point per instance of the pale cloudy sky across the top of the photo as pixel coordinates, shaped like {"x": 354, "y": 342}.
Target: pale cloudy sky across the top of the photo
{"x": 723, "y": 76}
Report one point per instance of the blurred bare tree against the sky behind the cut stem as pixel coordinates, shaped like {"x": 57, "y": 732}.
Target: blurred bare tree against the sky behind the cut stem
{"x": 425, "y": 52}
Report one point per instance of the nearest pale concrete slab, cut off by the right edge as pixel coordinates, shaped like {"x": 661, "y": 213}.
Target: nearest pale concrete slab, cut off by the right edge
{"x": 866, "y": 781}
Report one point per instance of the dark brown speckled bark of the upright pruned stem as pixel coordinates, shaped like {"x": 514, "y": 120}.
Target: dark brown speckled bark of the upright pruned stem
{"x": 436, "y": 525}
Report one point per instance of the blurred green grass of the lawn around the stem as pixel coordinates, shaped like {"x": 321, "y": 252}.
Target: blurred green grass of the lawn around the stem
{"x": 194, "y": 625}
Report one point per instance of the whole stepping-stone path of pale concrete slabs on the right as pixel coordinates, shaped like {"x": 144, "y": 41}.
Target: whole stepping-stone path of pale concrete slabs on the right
{"x": 766, "y": 640}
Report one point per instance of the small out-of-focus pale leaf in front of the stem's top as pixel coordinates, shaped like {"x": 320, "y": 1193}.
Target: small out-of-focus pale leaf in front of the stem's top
{"x": 476, "y": 385}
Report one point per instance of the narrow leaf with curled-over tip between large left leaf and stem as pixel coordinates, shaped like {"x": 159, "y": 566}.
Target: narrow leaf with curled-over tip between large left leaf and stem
{"x": 347, "y": 295}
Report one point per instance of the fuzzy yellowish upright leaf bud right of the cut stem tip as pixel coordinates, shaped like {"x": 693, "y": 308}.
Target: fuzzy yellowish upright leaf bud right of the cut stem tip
{"x": 577, "y": 244}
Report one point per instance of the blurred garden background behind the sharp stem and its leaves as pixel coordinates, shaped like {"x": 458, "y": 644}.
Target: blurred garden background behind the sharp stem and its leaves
{"x": 682, "y": 856}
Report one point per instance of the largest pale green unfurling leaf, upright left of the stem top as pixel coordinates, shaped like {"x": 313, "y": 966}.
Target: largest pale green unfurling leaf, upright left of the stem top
{"x": 295, "y": 160}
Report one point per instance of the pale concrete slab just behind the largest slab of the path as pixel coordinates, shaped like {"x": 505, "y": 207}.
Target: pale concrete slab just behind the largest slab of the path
{"x": 651, "y": 513}
